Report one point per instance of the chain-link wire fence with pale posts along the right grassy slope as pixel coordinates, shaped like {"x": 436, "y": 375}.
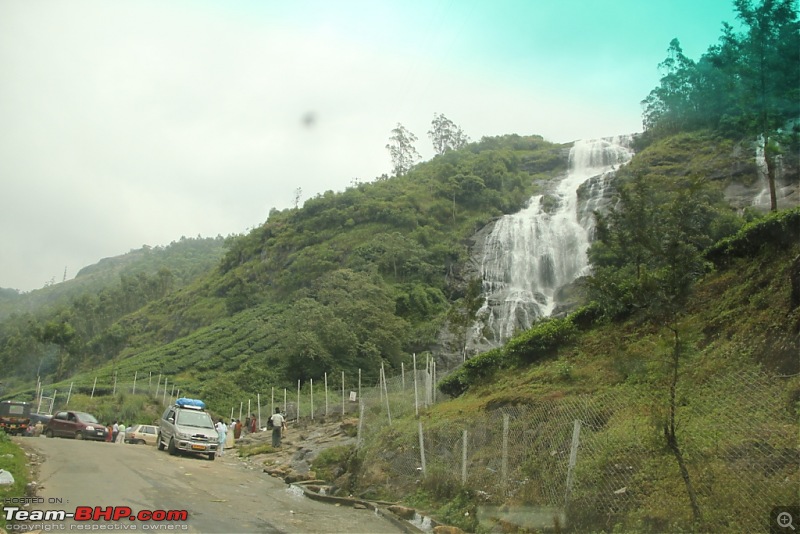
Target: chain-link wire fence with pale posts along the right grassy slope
{"x": 599, "y": 462}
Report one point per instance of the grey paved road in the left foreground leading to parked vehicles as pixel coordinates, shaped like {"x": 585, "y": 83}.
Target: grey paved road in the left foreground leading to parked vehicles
{"x": 224, "y": 495}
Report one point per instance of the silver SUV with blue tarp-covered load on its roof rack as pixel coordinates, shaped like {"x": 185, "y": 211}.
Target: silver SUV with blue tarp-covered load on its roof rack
{"x": 186, "y": 426}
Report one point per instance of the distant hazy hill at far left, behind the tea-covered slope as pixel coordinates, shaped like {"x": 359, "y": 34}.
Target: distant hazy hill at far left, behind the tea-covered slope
{"x": 70, "y": 321}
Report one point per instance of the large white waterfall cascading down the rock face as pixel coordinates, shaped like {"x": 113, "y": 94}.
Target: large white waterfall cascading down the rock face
{"x": 531, "y": 254}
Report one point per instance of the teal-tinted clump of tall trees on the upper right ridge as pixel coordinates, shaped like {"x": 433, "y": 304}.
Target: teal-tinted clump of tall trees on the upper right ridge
{"x": 748, "y": 83}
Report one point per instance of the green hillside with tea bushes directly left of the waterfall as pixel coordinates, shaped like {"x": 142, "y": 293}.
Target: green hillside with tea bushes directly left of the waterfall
{"x": 347, "y": 281}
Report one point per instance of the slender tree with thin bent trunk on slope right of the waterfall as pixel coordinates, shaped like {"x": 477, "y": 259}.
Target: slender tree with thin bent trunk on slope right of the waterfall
{"x": 647, "y": 257}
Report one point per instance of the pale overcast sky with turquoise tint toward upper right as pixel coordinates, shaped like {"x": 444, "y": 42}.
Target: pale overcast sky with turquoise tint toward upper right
{"x": 130, "y": 123}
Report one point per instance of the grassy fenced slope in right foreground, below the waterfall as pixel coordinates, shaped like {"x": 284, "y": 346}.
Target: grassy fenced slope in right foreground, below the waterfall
{"x": 712, "y": 430}
